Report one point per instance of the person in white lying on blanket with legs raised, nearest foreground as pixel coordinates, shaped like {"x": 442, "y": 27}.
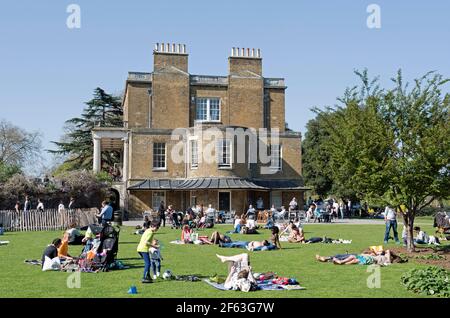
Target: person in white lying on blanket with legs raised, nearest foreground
{"x": 240, "y": 275}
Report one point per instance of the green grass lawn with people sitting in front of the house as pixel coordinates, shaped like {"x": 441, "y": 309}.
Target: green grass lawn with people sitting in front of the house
{"x": 294, "y": 260}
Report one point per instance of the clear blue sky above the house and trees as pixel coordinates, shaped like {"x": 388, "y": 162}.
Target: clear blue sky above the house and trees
{"x": 47, "y": 71}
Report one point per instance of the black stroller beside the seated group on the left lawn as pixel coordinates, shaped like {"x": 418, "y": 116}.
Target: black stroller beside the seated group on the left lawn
{"x": 107, "y": 250}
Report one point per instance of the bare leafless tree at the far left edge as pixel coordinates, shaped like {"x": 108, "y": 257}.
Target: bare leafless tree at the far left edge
{"x": 17, "y": 146}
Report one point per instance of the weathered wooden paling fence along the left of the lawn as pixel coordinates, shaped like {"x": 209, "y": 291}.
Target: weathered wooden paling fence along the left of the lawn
{"x": 47, "y": 220}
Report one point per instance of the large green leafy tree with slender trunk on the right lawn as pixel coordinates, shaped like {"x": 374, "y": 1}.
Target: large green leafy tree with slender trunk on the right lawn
{"x": 393, "y": 145}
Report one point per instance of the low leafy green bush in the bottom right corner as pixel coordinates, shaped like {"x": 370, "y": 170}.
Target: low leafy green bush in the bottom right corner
{"x": 429, "y": 281}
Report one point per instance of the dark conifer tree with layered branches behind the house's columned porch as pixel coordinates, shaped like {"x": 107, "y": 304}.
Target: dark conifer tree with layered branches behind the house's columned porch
{"x": 104, "y": 110}
